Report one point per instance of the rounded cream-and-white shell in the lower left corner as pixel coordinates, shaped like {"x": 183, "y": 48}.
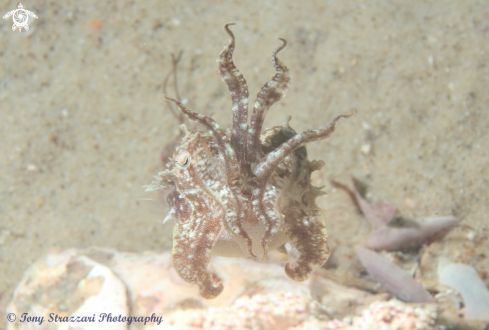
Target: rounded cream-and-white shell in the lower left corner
{"x": 66, "y": 285}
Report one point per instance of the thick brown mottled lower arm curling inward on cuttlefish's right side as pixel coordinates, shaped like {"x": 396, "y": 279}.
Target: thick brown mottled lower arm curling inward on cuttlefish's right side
{"x": 306, "y": 230}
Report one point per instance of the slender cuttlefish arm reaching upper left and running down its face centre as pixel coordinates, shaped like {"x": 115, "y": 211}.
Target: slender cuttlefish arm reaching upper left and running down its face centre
{"x": 233, "y": 219}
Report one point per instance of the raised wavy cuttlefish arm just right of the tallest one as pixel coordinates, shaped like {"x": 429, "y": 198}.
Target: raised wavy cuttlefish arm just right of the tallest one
{"x": 269, "y": 94}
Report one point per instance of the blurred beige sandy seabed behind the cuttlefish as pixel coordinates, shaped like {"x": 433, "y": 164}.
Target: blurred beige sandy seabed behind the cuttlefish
{"x": 83, "y": 118}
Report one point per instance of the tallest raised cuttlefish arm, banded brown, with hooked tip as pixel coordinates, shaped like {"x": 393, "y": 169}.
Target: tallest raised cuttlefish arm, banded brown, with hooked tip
{"x": 238, "y": 89}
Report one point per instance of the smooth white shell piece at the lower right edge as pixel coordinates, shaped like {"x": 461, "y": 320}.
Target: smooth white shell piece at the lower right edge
{"x": 465, "y": 280}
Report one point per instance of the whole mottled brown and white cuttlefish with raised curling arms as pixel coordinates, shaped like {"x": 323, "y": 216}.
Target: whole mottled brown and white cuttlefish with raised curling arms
{"x": 244, "y": 191}
